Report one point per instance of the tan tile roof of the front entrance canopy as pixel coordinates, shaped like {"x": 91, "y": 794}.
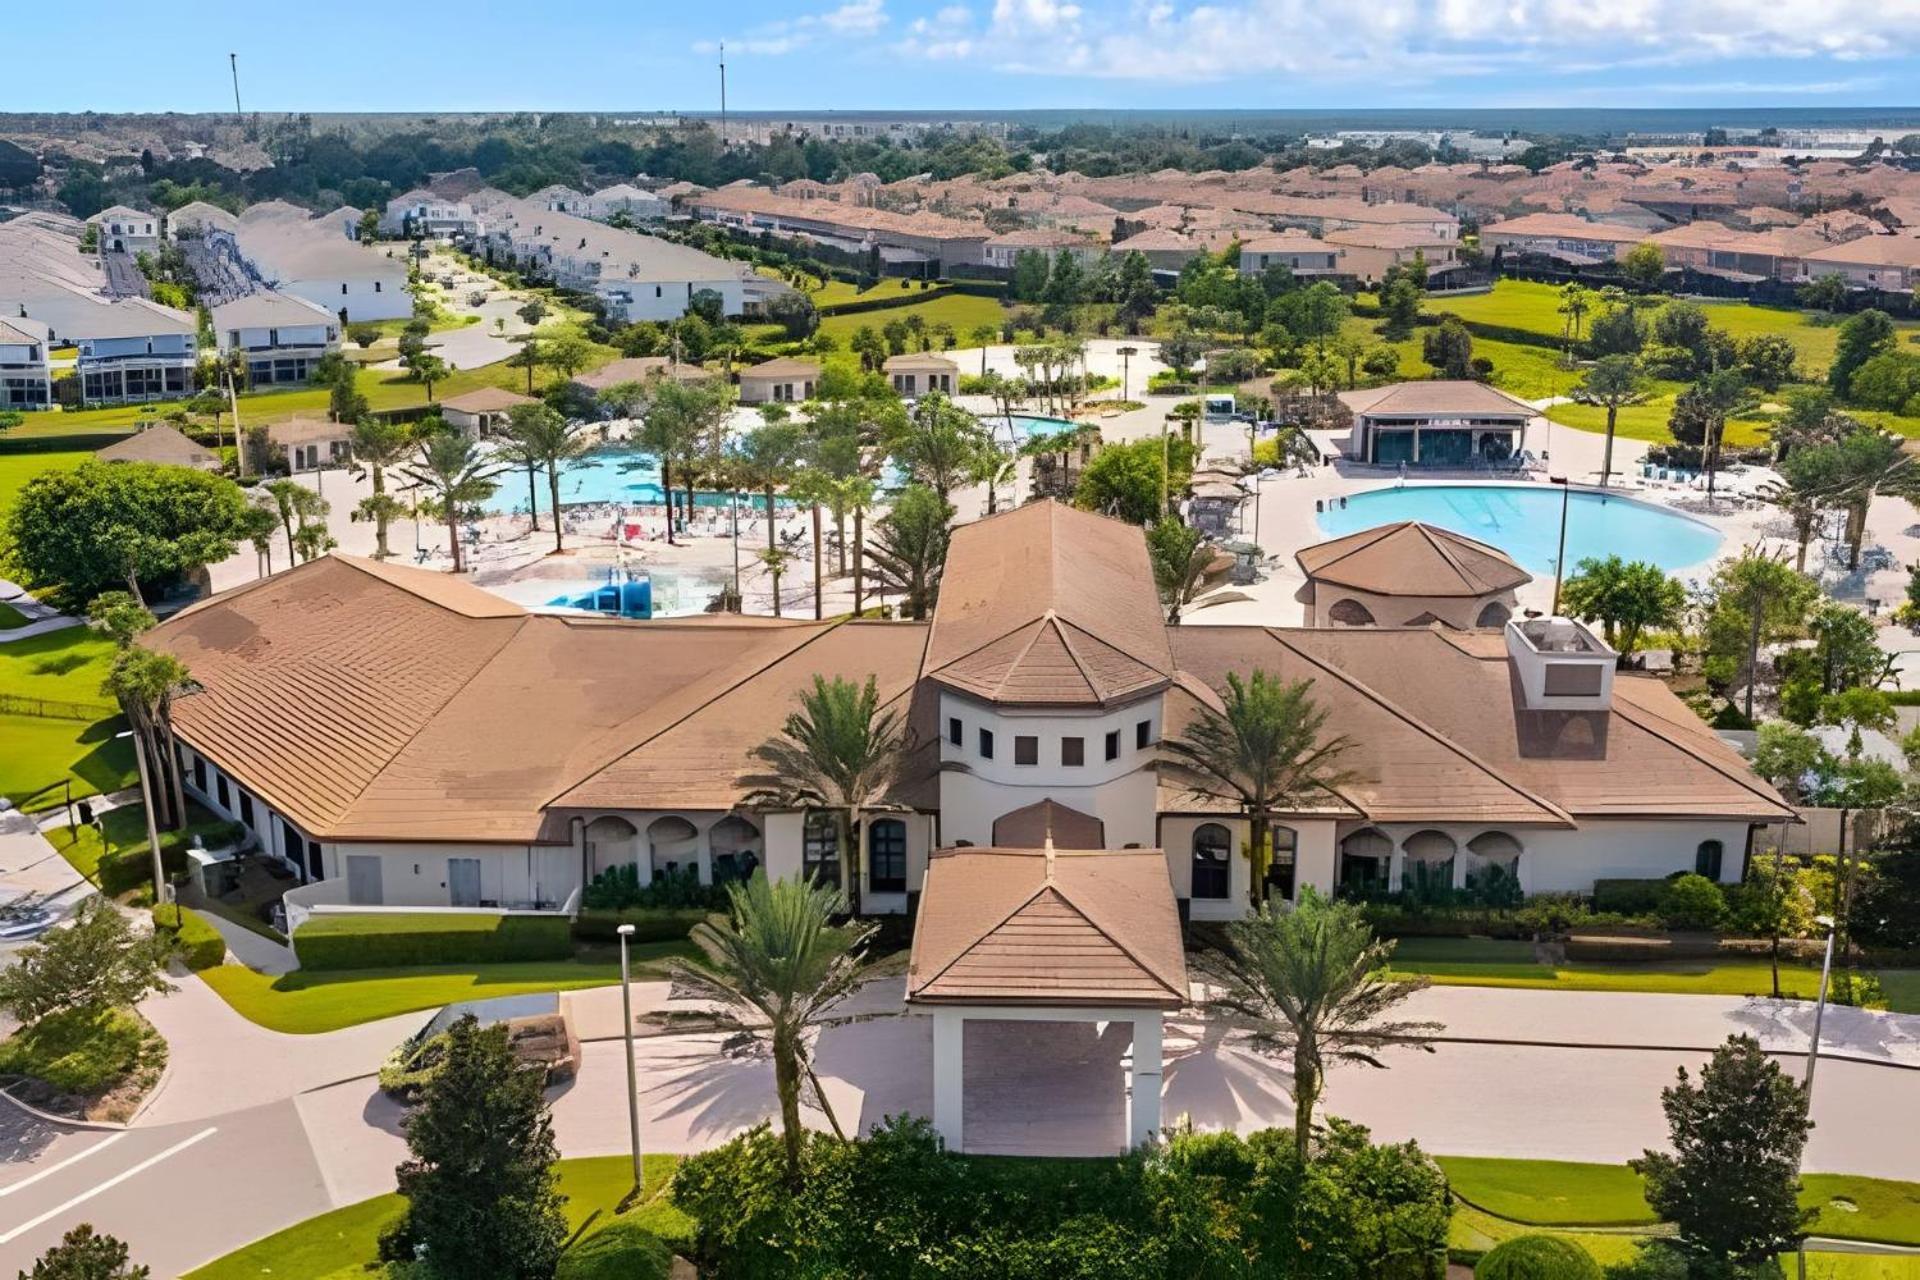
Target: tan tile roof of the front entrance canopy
{"x": 1040, "y": 928}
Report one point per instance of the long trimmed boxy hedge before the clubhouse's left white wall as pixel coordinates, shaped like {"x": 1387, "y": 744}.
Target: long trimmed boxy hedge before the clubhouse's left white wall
{"x": 429, "y": 939}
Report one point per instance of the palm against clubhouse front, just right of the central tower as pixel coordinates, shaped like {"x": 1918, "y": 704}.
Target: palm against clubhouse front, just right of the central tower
{"x": 1264, "y": 751}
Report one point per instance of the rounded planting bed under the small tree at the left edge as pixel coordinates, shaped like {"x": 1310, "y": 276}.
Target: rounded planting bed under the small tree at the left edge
{"x": 85, "y": 1064}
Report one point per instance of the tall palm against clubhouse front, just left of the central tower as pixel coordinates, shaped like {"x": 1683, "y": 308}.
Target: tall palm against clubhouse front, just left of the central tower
{"x": 840, "y": 751}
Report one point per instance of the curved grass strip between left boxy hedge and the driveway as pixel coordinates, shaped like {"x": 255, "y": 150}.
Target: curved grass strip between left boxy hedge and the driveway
{"x": 310, "y": 1003}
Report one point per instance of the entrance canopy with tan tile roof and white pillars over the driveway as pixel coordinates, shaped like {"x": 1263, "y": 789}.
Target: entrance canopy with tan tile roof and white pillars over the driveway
{"x": 1053, "y": 937}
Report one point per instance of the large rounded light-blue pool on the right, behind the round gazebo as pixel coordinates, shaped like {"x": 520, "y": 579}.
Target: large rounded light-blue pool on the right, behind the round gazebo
{"x": 1524, "y": 521}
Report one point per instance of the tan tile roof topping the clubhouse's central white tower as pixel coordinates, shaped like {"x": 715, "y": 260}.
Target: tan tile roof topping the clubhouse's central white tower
{"x": 1049, "y": 605}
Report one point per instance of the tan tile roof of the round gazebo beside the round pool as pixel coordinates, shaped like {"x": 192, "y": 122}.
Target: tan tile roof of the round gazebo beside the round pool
{"x": 1412, "y": 559}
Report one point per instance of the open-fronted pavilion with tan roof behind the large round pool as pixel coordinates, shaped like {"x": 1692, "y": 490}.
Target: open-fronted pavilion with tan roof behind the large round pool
{"x": 1437, "y": 425}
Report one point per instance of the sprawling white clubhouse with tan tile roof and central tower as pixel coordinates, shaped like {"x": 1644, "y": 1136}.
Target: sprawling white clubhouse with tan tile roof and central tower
{"x": 402, "y": 738}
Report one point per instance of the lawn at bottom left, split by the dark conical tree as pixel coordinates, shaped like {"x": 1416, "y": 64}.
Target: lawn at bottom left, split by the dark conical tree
{"x": 347, "y": 1241}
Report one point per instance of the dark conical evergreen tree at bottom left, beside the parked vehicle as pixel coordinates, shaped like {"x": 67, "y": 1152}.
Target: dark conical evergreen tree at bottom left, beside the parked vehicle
{"x": 479, "y": 1181}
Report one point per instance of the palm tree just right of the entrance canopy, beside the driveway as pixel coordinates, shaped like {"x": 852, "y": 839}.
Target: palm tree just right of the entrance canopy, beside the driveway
{"x": 1308, "y": 984}
